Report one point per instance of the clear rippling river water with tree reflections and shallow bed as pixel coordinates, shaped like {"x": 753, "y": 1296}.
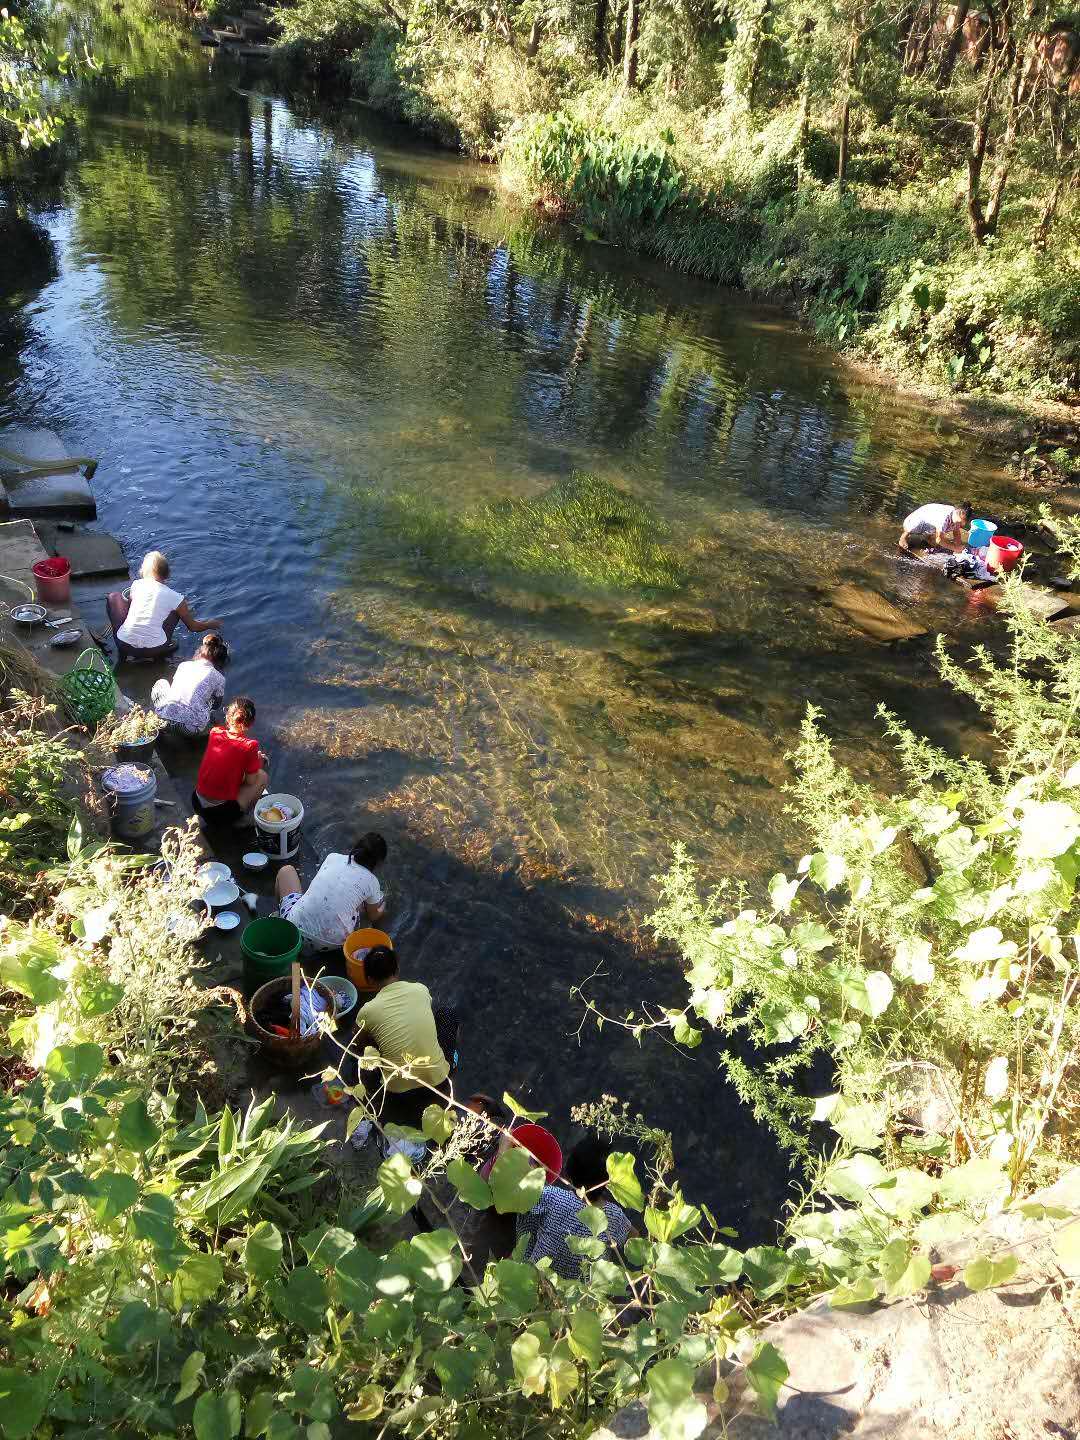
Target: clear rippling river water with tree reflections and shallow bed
{"x": 352, "y": 394}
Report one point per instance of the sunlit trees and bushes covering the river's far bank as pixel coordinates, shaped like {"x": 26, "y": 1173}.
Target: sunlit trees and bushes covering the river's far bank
{"x": 908, "y": 176}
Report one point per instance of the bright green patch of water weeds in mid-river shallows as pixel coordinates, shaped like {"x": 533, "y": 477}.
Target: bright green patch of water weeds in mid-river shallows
{"x": 582, "y": 531}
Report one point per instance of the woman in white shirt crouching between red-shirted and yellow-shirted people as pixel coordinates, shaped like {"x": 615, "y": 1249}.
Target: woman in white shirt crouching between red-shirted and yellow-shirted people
{"x": 345, "y": 896}
